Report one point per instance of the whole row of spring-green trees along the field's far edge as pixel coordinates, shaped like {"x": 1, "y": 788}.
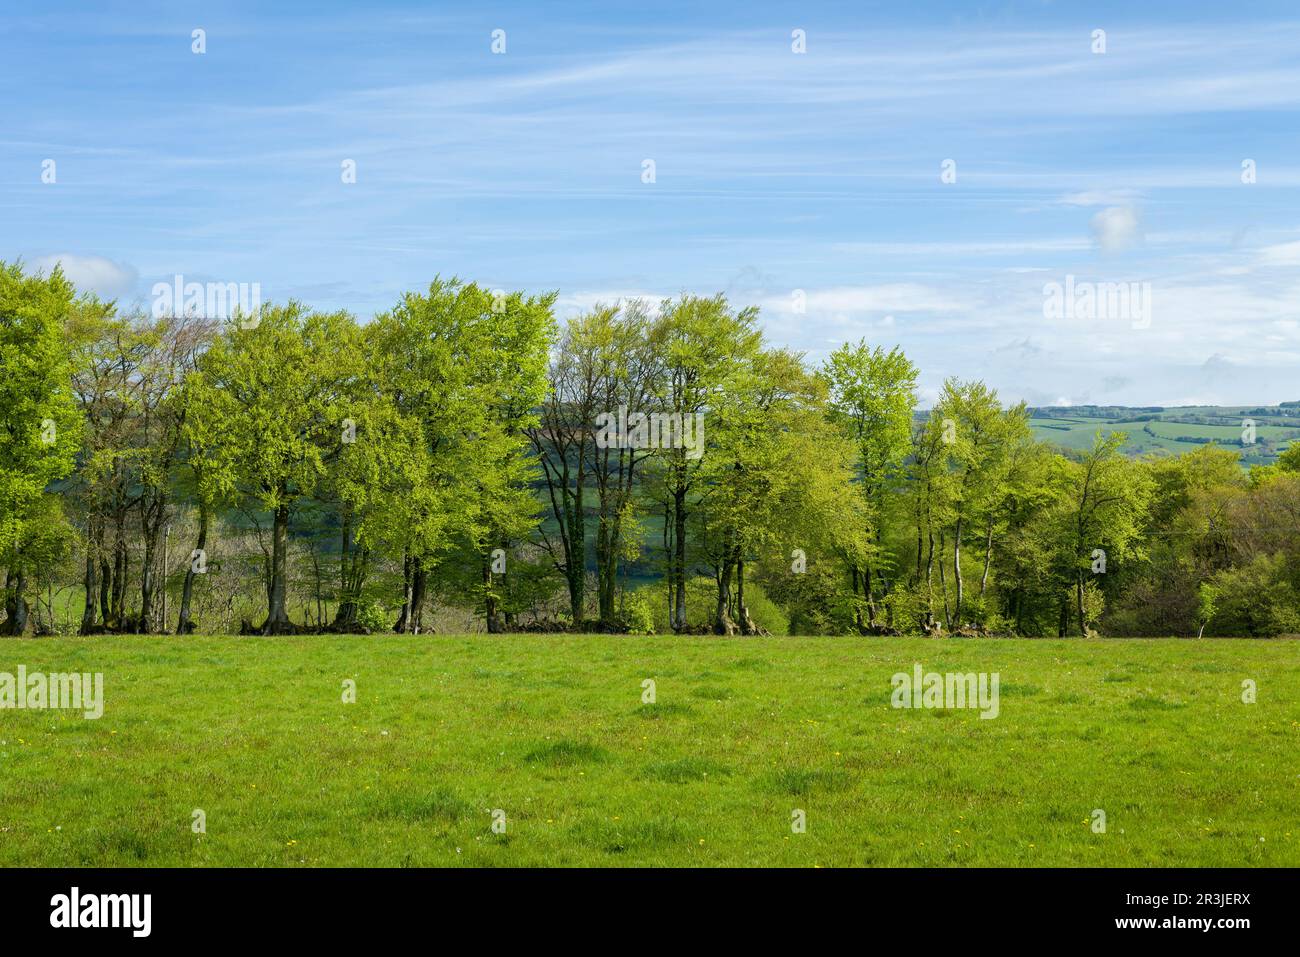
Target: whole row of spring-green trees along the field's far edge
{"x": 462, "y": 462}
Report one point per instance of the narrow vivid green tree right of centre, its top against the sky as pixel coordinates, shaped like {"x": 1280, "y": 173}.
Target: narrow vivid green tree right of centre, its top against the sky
{"x": 873, "y": 396}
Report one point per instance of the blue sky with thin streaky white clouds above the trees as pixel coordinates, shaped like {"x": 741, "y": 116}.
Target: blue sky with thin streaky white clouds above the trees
{"x": 774, "y": 171}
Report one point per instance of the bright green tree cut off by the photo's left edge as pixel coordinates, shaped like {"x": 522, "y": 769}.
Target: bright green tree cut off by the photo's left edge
{"x": 40, "y": 425}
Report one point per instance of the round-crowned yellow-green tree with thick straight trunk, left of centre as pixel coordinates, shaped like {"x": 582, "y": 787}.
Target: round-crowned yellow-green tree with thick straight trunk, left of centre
{"x": 270, "y": 401}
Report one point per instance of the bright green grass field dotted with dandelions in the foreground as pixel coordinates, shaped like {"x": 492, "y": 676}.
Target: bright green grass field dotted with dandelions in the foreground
{"x": 552, "y": 731}
